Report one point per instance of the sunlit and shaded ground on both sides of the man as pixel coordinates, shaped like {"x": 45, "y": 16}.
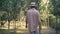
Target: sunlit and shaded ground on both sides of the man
{"x": 20, "y": 29}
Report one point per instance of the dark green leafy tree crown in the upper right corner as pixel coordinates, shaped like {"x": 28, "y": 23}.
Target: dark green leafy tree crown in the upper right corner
{"x": 56, "y": 10}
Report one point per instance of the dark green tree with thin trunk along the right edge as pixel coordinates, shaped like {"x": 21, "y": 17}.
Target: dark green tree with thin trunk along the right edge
{"x": 56, "y": 11}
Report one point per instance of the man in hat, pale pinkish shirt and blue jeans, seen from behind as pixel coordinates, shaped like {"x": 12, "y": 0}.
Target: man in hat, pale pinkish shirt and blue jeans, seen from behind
{"x": 32, "y": 19}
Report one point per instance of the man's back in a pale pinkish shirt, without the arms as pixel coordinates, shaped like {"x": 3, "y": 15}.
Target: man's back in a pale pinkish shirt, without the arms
{"x": 32, "y": 19}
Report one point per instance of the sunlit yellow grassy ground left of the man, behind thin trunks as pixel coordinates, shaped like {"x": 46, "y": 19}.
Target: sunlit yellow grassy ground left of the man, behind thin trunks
{"x": 20, "y": 29}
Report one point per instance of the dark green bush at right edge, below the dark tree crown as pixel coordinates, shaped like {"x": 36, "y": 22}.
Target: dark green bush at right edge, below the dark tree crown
{"x": 53, "y": 24}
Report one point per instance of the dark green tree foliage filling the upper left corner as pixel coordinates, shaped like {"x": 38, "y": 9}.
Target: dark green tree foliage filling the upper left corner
{"x": 12, "y": 7}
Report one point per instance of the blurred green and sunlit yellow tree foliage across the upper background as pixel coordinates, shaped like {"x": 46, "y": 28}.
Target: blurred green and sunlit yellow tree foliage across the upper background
{"x": 10, "y": 9}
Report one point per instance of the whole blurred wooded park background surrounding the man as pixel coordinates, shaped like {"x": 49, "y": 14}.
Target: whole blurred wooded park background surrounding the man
{"x": 13, "y": 16}
